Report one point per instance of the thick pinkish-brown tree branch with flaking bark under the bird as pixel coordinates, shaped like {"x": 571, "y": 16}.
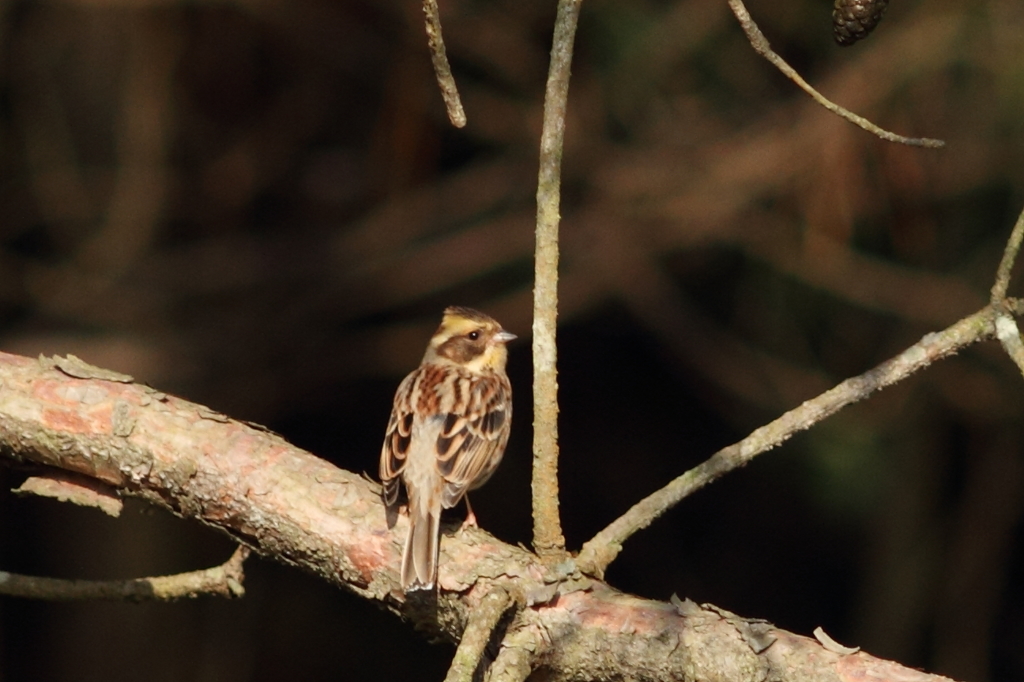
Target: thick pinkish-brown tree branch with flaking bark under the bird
{"x": 298, "y": 509}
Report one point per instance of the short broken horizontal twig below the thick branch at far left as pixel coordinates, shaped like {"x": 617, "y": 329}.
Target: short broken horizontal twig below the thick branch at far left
{"x": 224, "y": 581}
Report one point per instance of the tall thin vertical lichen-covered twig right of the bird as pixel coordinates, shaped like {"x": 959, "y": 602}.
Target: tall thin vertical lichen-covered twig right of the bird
{"x": 548, "y": 539}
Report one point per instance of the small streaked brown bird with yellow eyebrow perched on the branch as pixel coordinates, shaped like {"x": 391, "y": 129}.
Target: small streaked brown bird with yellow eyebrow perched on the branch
{"x": 448, "y": 433}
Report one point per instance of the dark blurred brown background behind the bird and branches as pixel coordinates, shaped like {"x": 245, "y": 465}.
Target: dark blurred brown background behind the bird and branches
{"x": 262, "y": 207}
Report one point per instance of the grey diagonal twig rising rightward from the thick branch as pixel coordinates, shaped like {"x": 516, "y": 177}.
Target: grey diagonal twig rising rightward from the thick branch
{"x": 603, "y": 549}
